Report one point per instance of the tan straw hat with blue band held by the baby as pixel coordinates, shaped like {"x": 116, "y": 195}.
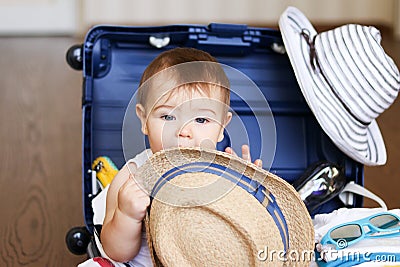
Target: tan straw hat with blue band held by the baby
{"x": 210, "y": 208}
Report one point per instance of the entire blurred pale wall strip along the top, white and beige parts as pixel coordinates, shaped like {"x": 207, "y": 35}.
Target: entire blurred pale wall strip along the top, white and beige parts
{"x": 69, "y": 16}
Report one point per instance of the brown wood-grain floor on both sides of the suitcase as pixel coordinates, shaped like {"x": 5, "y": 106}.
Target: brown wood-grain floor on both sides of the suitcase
{"x": 40, "y": 155}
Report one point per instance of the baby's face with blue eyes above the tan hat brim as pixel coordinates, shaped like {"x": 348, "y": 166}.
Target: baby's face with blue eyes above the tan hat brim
{"x": 180, "y": 120}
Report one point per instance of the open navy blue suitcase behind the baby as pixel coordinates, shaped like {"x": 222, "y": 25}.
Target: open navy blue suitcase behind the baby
{"x": 113, "y": 59}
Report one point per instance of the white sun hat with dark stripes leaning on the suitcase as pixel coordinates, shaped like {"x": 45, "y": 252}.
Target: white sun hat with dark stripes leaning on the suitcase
{"x": 347, "y": 80}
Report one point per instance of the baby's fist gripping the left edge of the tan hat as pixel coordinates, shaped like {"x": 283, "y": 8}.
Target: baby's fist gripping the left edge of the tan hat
{"x": 132, "y": 200}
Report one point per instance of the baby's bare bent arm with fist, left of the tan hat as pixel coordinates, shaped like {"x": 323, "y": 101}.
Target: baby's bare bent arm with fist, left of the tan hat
{"x": 125, "y": 209}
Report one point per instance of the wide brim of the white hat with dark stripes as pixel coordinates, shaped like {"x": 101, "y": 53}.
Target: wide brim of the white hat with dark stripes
{"x": 321, "y": 100}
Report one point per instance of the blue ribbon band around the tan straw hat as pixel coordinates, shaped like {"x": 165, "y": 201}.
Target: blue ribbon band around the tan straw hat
{"x": 254, "y": 188}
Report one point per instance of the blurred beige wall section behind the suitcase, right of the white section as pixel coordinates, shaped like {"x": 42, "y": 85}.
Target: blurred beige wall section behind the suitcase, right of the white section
{"x": 253, "y": 12}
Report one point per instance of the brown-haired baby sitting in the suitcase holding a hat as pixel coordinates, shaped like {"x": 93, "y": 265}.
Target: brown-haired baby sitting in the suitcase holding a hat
{"x": 183, "y": 101}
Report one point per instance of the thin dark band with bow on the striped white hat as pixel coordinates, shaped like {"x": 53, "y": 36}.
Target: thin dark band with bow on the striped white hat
{"x": 314, "y": 61}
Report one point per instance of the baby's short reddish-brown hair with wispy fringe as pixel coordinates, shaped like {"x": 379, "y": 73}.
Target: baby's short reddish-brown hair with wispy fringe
{"x": 210, "y": 77}
